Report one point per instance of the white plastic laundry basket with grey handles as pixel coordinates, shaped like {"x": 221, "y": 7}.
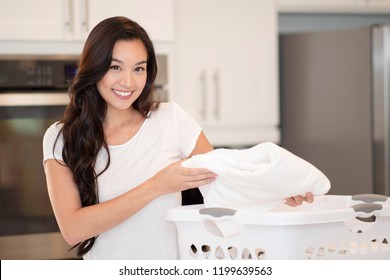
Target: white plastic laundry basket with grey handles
{"x": 332, "y": 227}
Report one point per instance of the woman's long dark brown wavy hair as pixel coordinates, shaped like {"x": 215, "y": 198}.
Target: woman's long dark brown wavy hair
{"x": 82, "y": 129}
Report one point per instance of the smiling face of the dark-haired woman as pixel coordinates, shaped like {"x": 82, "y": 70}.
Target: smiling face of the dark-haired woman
{"x": 124, "y": 81}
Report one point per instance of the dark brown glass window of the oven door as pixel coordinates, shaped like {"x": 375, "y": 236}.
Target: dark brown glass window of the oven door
{"x": 24, "y": 203}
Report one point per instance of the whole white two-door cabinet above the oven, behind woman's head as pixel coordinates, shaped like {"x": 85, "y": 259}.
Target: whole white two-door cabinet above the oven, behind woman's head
{"x": 74, "y": 19}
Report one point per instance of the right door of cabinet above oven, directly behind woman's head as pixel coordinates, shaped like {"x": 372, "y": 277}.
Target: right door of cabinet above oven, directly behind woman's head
{"x": 155, "y": 16}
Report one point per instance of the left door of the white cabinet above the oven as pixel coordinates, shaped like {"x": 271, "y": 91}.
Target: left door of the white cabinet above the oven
{"x": 35, "y": 20}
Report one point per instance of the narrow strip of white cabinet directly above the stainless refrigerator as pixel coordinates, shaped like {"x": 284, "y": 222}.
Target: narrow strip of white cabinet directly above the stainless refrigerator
{"x": 335, "y": 6}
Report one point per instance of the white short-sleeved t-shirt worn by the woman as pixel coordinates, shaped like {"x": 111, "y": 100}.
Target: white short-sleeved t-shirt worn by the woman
{"x": 168, "y": 135}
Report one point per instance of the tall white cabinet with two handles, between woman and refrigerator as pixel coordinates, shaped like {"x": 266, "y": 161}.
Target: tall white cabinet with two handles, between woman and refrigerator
{"x": 225, "y": 69}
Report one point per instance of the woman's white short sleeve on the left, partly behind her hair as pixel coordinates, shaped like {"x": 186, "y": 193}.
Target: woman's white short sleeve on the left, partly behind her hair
{"x": 49, "y": 139}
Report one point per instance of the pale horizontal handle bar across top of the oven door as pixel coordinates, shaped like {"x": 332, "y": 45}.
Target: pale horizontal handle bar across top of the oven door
{"x": 33, "y": 99}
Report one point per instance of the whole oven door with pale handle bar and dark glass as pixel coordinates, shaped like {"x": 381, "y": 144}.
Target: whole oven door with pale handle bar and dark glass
{"x": 28, "y": 229}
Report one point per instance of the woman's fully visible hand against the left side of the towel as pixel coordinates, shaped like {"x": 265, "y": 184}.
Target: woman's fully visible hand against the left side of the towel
{"x": 175, "y": 177}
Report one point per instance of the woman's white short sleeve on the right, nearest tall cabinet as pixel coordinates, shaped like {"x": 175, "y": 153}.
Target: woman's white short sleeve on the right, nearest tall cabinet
{"x": 188, "y": 130}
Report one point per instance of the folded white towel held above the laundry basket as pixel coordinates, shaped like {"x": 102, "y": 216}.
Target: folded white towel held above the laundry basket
{"x": 260, "y": 177}
